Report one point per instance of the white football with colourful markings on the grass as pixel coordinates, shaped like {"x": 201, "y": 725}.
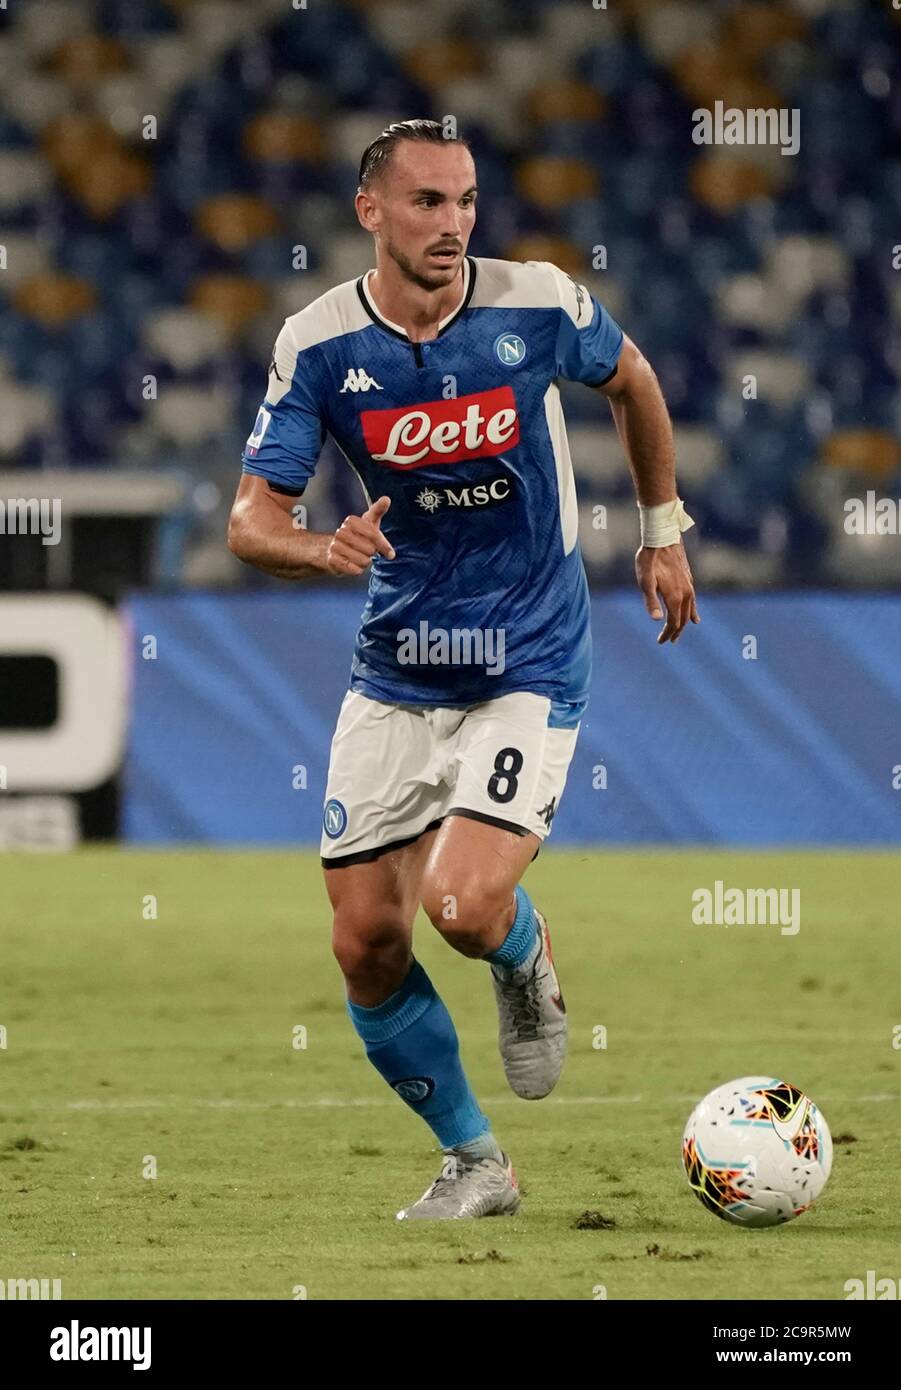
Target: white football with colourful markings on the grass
{"x": 757, "y": 1152}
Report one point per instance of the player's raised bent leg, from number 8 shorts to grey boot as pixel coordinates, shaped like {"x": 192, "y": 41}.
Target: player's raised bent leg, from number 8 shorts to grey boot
{"x": 514, "y": 755}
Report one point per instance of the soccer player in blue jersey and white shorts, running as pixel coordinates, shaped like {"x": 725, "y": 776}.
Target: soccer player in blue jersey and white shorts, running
{"x": 437, "y": 376}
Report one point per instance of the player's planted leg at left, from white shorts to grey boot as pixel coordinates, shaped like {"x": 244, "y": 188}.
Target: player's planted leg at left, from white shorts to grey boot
{"x": 383, "y": 796}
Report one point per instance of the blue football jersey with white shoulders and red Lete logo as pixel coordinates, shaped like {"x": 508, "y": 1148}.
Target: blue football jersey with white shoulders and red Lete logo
{"x": 466, "y": 436}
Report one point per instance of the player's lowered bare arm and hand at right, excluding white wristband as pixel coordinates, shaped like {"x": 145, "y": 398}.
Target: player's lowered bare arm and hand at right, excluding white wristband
{"x": 646, "y": 432}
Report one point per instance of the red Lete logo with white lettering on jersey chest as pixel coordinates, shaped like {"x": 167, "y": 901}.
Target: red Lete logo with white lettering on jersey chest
{"x": 443, "y": 432}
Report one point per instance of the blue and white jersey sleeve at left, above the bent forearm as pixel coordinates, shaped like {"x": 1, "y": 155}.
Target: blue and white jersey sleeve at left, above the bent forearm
{"x": 289, "y": 433}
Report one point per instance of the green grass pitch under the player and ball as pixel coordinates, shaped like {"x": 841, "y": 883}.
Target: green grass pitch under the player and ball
{"x": 280, "y": 1168}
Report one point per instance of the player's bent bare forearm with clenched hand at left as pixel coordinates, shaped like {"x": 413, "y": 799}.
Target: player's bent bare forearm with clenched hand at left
{"x": 263, "y": 532}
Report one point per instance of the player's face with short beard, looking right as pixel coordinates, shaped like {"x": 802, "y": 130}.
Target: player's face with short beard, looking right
{"x": 425, "y": 211}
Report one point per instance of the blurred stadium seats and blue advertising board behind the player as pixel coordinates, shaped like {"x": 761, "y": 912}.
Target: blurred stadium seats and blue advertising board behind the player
{"x": 179, "y": 176}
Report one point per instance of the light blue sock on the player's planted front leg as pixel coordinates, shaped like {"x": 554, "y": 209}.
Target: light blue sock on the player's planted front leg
{"x": 411, "y": 1040}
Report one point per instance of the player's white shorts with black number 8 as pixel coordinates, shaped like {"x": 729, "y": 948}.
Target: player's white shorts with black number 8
{"x": 397, "y": 771}
